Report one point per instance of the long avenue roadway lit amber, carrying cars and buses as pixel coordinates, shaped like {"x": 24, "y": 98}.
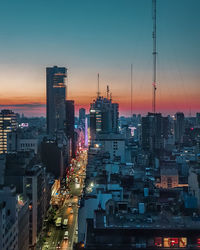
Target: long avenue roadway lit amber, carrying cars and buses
{"x": 69, "y": 208}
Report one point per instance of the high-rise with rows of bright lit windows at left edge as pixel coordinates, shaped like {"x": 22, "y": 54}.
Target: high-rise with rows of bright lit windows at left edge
{"x": 8, "y": 123}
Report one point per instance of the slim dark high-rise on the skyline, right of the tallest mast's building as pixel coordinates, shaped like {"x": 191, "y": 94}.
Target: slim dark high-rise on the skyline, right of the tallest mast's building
{"x": 179, "y": 127}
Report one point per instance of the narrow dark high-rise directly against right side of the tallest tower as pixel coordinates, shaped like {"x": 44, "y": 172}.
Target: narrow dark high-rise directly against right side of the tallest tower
{"x": 69, "y": 124}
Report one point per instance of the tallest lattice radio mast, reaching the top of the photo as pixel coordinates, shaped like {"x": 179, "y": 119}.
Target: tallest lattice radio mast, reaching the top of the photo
{"x": 154, "y": 56}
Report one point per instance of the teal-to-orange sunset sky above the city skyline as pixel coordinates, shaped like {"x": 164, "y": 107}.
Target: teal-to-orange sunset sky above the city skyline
{"x": 105, "y": 36}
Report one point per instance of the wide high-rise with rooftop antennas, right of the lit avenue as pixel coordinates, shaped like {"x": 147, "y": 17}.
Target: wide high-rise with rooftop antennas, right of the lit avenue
{"x": 104, "y": 116}
